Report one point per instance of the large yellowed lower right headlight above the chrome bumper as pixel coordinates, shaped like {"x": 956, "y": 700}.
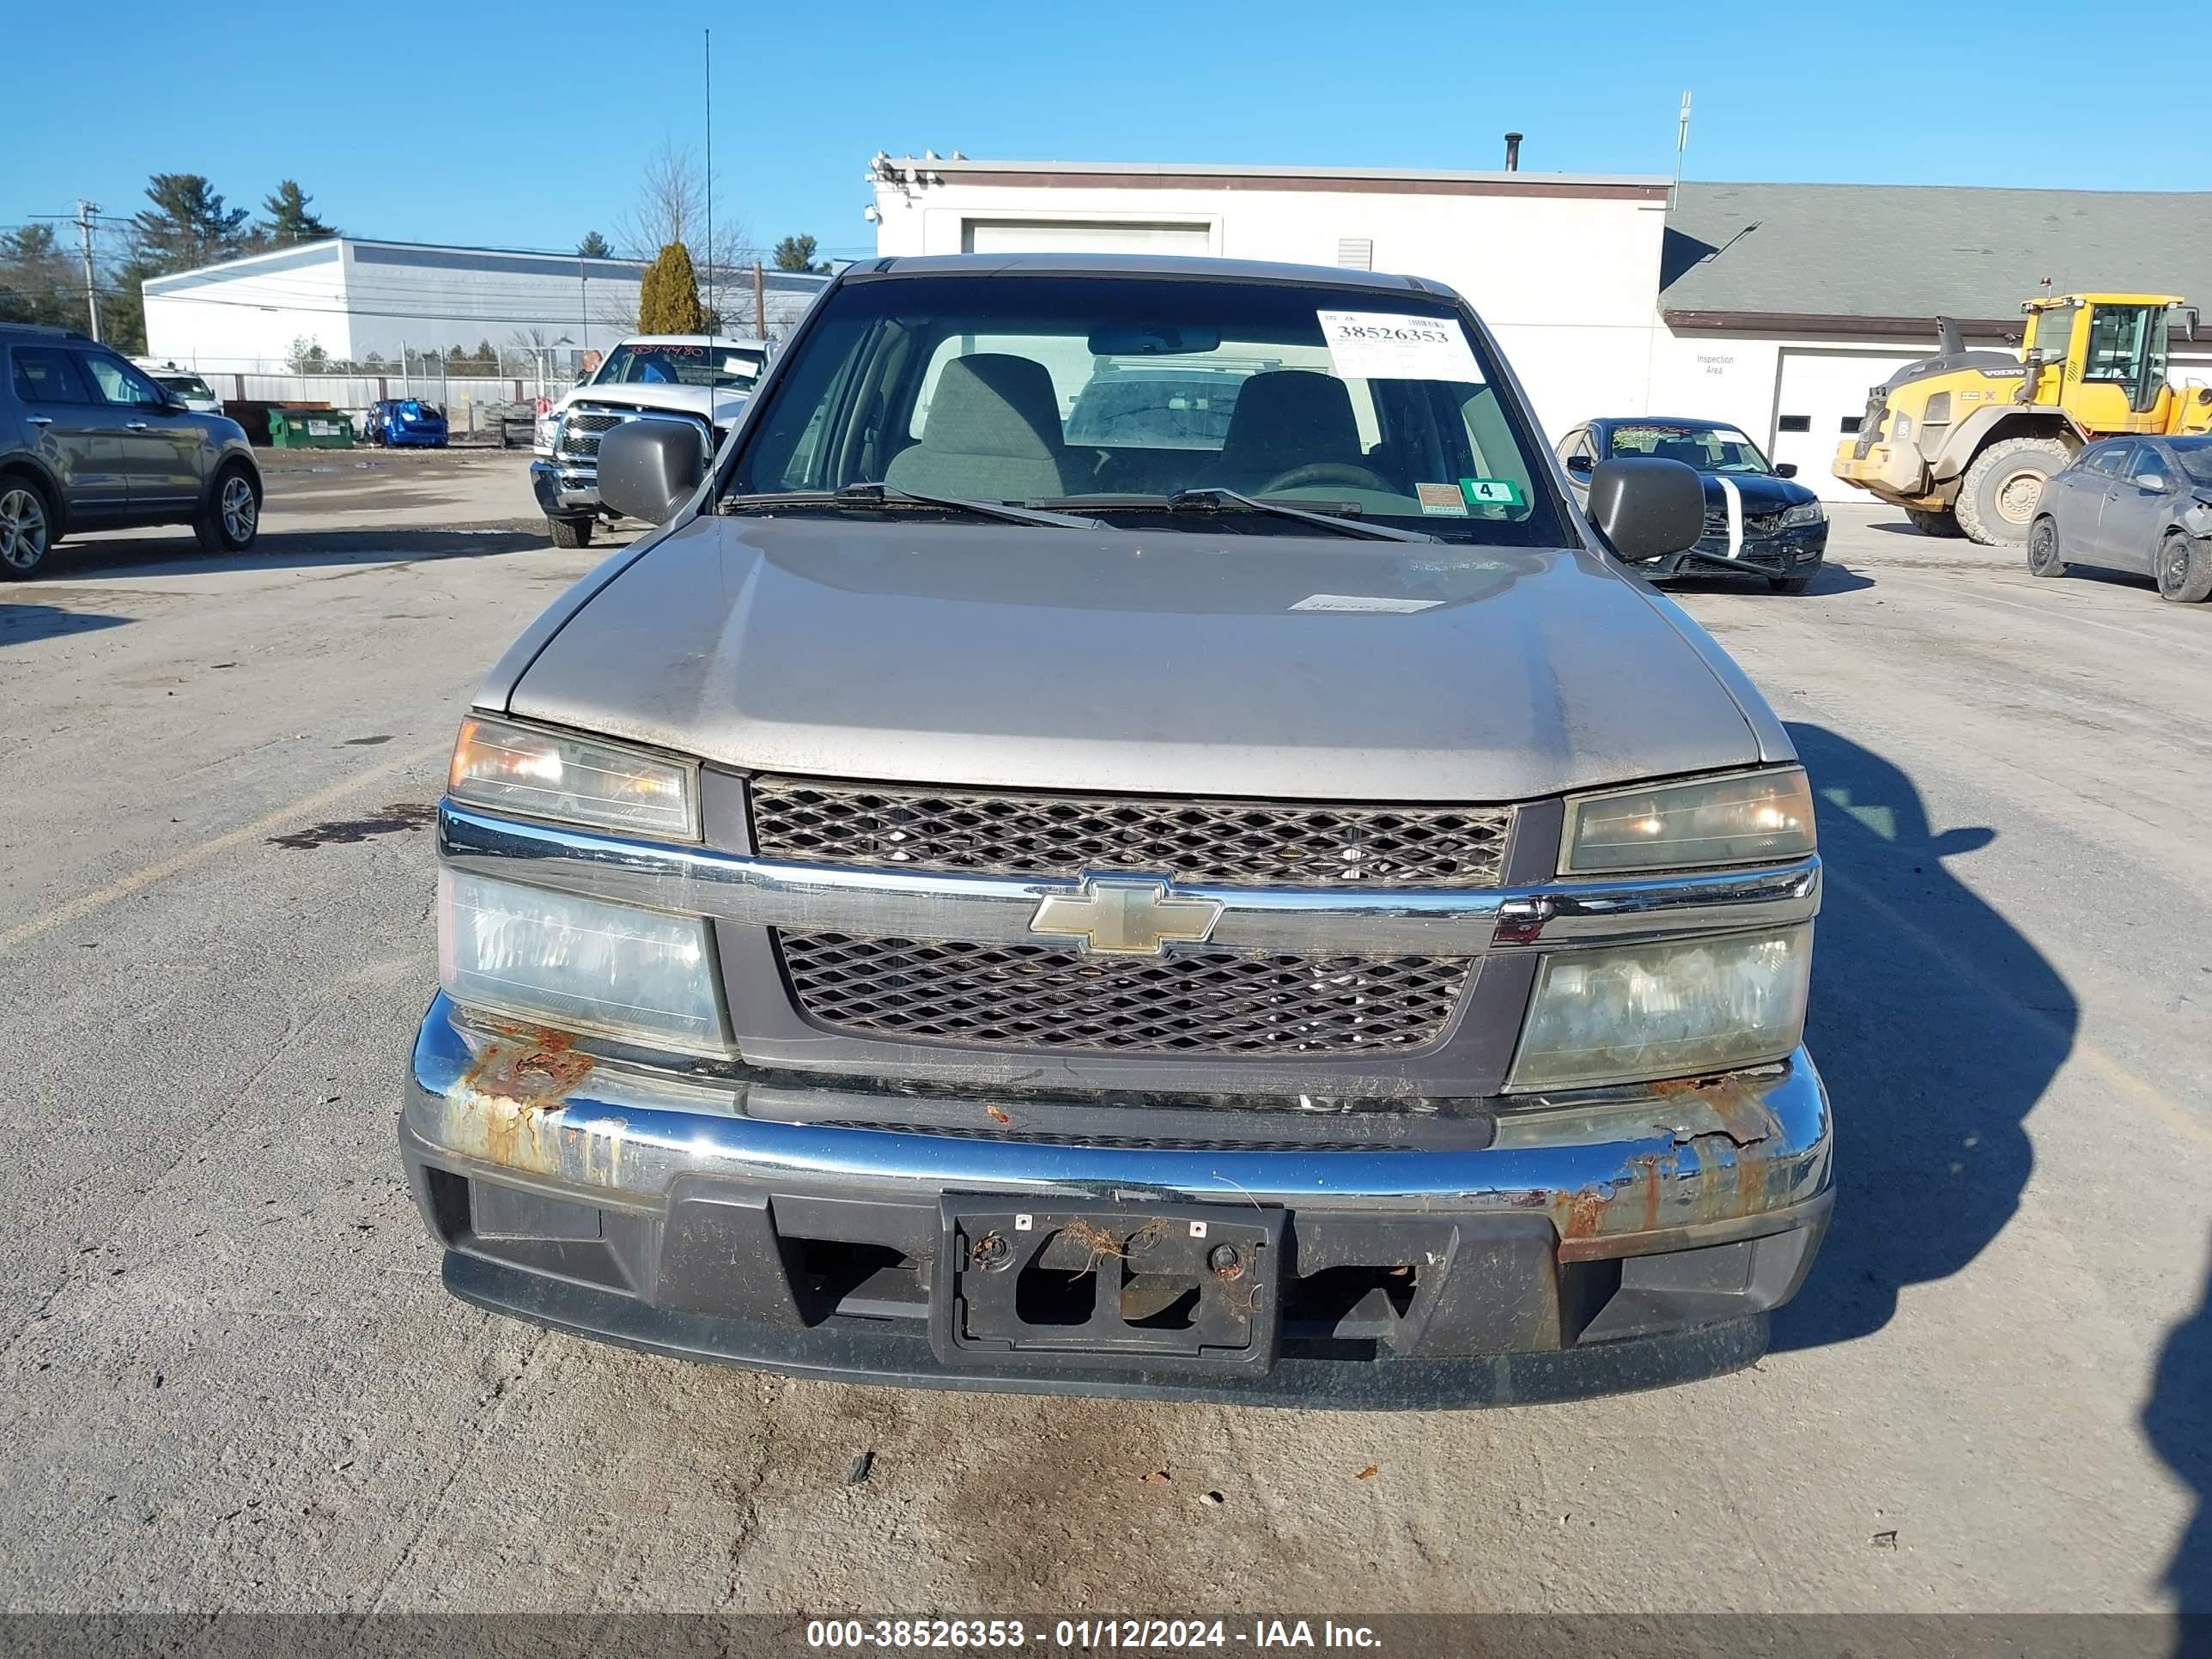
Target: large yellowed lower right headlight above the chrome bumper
{"x": 1676, "y": 1010}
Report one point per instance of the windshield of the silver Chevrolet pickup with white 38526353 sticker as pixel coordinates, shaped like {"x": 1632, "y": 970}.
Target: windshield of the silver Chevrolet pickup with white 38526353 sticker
{"x": 1118, "y": 393}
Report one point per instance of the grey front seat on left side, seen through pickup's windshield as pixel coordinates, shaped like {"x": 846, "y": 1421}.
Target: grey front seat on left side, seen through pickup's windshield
{"x": 992, "y": 432}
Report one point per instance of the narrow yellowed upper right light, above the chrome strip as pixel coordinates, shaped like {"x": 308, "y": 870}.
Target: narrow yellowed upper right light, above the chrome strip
{"x": 1744, "y": 820}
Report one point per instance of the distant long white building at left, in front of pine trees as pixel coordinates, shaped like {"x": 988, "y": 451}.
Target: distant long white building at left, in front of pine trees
{"x": 357, "y": 298}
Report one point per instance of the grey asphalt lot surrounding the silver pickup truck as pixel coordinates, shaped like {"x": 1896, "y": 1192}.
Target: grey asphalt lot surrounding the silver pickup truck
{"x": 233, "y": 1381}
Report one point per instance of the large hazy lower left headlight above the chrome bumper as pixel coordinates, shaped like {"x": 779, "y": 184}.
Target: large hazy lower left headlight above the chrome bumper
{"x": 578, "y": 963}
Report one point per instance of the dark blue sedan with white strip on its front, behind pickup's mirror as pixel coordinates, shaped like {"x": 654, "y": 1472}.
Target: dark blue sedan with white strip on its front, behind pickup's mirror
{"x": 1757, "y": 519}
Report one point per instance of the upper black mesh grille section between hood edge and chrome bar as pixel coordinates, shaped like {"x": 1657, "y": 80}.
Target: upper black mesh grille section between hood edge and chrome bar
{"x": 1065, "y": 835}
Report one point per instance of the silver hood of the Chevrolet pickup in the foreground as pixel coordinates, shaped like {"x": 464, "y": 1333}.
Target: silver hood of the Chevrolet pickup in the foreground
{"x": 1142, "y": 662}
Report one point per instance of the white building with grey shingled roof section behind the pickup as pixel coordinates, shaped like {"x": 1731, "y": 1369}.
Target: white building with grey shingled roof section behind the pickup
{"x": 1773, "y": 306}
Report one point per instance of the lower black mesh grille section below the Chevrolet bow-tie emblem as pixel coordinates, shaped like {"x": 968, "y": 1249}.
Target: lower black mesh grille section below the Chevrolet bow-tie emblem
{"x": 1045, "y": 997}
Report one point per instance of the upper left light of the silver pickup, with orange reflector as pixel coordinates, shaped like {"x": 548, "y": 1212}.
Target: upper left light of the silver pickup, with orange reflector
{"x": 574, "y": 780}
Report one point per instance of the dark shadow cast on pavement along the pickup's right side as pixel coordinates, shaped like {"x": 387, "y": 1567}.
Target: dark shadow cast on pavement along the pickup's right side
{"x": 1937, "y": 1027}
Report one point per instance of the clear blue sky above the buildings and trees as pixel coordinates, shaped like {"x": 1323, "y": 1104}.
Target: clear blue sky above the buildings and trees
{"x": 530, "y": 125}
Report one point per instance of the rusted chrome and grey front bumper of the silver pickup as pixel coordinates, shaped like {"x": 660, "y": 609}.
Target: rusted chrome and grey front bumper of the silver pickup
{"x": 634, "y": 1204}
